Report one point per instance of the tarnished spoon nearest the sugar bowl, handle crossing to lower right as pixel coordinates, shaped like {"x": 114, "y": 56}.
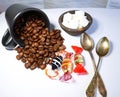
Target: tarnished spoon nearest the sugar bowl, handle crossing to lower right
{"x": 88, "y": 44}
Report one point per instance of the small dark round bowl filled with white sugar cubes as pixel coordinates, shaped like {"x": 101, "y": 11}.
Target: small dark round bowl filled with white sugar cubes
{"x": 75, "y": 22}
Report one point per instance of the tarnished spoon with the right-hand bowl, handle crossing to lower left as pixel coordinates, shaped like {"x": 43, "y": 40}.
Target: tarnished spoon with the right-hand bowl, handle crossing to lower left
{"x": 102, "y": 49}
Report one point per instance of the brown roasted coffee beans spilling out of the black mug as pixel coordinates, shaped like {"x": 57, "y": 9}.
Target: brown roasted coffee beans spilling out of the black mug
{"x": 40, "y": 43}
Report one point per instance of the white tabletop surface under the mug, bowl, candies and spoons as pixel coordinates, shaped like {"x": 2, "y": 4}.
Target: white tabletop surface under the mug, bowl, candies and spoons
{"x": 16, "y": 81}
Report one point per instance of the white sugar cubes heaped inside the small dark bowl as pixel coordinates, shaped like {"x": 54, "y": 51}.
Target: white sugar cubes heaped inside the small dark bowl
{"x": 75, "y": 21}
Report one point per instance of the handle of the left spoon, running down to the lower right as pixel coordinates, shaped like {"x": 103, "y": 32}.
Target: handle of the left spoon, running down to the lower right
{"x": 100, "y": 83}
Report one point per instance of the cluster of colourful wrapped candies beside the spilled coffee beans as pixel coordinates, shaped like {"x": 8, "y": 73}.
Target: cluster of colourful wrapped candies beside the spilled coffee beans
{"x": 69, "y": 63}
